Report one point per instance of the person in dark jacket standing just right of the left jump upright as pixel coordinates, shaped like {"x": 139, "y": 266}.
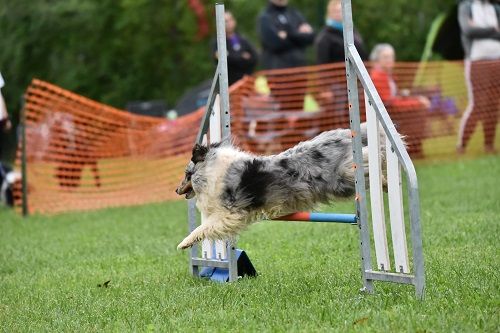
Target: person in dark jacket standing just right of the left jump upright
{"x": 241, "y": 55}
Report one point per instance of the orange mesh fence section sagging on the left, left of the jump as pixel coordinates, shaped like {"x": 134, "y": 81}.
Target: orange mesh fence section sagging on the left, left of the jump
{"x": 85, "y": 155}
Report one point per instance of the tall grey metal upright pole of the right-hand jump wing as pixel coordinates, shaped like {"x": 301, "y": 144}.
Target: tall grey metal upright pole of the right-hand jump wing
{"x": 352, "y": 90}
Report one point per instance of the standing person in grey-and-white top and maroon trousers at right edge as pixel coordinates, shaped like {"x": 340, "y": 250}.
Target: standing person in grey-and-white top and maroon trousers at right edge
{"x": 480, "y": 31}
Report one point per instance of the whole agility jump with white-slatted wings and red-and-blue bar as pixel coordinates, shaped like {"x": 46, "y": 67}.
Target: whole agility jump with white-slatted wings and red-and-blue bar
{"x": 223, "y": 262}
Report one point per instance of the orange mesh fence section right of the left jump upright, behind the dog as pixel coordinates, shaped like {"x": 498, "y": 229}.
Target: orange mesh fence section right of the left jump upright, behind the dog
{"x": 425, "y": 101}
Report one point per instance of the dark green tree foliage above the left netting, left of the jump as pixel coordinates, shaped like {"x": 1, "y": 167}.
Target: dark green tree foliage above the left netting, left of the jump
{"x": 112, "y": 51}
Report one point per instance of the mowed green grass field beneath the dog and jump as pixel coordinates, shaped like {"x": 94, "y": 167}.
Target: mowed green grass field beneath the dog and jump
{"x": 309, "y": 278}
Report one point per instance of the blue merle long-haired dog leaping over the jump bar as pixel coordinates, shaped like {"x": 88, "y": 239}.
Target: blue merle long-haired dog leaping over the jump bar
{"x": 236, "y": 188}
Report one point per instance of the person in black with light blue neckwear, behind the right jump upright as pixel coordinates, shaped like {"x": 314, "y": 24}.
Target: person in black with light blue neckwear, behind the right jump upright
{"x": 329, "y": 43}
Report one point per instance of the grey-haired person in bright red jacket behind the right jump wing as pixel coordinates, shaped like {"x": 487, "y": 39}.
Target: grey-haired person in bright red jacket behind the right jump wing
{"x": 409, "y": 113}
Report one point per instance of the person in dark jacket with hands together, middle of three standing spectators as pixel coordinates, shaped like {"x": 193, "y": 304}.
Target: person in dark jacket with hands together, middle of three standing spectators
{"x": 284, "y": 34}
